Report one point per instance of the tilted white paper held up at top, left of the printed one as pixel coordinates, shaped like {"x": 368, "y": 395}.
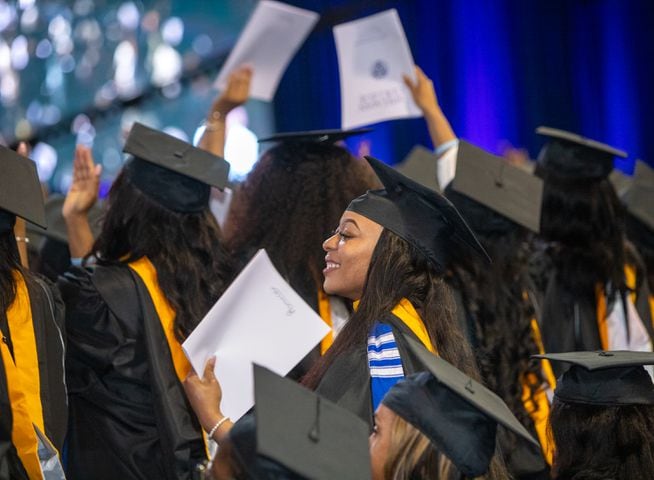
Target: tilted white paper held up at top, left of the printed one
{"x": 271, "y": 37}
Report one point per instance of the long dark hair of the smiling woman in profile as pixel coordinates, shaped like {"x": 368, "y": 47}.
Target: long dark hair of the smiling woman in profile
{"x": 399, "y": 270}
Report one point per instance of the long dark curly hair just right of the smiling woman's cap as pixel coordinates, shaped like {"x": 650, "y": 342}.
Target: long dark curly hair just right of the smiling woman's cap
{"x": 496, "y": 298}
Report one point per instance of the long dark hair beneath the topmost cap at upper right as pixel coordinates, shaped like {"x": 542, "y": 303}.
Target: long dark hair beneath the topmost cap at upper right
{"x": 584, "y": 221}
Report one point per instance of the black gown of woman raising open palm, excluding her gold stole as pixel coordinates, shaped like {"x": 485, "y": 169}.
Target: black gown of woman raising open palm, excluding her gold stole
{"x": 129, "y": 416}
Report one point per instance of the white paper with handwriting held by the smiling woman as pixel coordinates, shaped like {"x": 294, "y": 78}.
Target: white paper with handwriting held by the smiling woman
{"x": 259, "y": 319}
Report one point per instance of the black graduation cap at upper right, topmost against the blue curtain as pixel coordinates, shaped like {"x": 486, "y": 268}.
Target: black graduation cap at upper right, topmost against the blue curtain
{"x": 573, "y": 156}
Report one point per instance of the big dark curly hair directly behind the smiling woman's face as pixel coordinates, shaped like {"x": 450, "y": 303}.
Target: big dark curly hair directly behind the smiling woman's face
{"x": 289, "y": 203}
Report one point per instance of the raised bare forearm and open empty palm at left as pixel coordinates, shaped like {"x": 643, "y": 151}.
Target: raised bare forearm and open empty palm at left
{"x": 82, "y": 195}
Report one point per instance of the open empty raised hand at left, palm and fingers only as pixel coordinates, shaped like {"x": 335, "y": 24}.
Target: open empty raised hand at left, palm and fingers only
{"x": 83, "y": 192}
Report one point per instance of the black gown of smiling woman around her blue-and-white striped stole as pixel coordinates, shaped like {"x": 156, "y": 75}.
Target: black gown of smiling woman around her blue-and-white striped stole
{"x": 347, "y": 381}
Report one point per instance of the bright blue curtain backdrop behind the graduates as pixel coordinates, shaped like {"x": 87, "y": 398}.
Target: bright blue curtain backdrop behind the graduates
{"x": 501, "y": 68}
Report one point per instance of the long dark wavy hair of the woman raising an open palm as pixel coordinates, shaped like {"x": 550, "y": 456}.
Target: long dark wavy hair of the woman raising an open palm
{"x": 193, "y": 267}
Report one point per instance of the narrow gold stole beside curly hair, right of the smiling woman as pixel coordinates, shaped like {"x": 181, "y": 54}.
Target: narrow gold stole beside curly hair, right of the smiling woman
{"x": 538, "y": 408}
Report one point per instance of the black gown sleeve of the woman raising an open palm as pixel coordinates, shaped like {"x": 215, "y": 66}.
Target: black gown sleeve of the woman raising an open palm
{"x": 113, "y": 432}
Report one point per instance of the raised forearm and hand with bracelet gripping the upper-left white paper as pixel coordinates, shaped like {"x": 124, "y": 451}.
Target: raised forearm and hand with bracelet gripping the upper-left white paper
{"x": 235, "y": 94}
